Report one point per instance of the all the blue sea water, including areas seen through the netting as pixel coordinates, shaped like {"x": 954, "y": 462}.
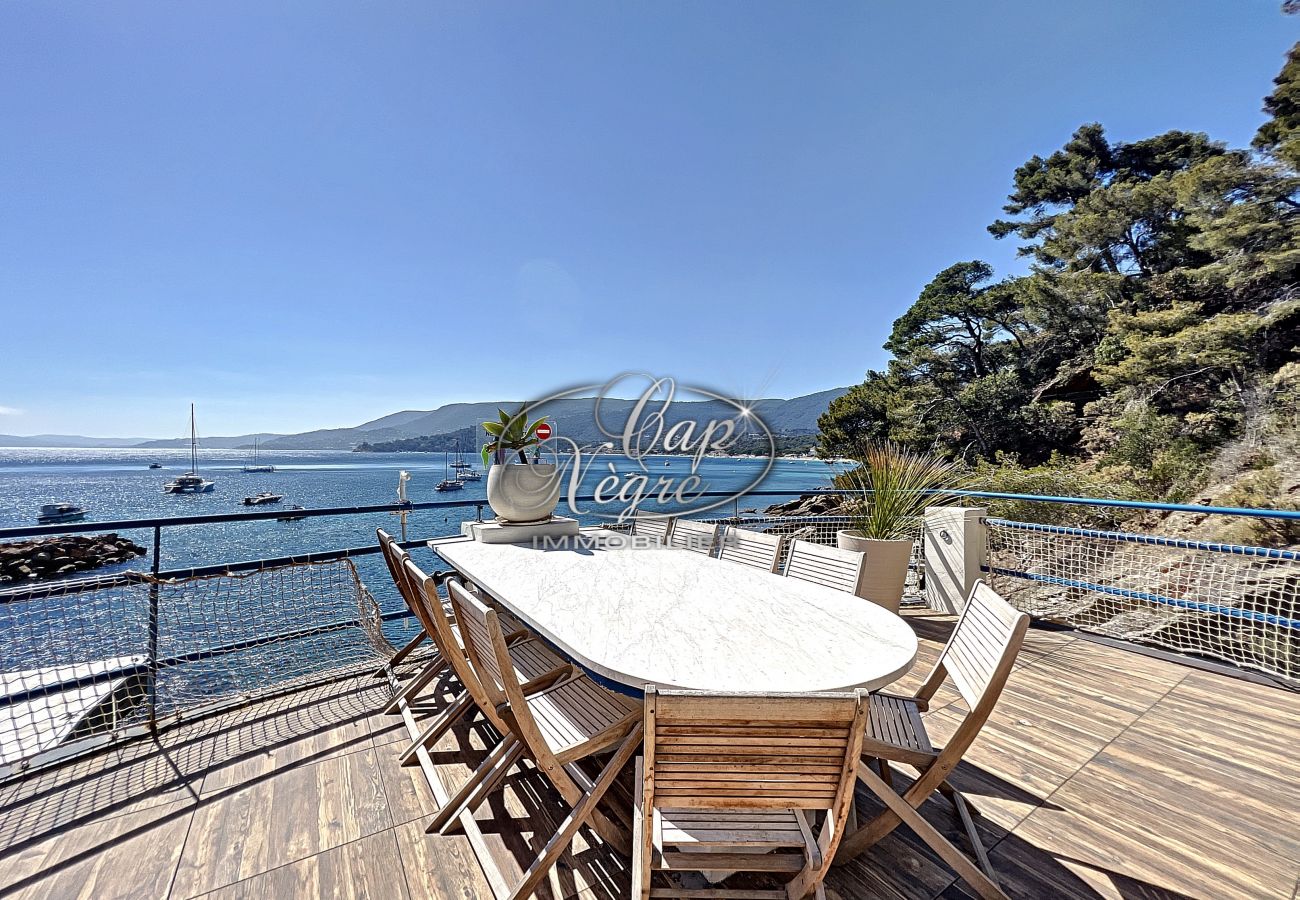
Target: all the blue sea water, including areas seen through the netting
{"x": 118, "y": 484}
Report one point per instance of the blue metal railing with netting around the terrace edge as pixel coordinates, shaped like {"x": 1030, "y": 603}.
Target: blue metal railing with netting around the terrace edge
{"x": 157, "y": 626}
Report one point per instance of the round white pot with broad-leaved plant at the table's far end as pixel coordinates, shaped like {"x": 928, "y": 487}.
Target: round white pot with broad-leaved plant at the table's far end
{"x": 519, "y": 492}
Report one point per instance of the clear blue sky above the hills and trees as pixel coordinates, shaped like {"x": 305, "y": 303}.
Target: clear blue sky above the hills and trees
{"x": 309, "y": 215}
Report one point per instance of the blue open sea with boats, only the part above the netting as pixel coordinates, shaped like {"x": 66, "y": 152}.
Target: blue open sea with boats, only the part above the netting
{"x": 118, "y": 484}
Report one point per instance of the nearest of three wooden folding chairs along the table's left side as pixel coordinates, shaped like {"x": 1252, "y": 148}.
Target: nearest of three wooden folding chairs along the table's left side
{"x": 556, "y": 728}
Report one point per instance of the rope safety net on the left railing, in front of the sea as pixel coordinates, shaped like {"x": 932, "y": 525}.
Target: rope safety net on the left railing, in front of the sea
{"x": 81, "y": 659}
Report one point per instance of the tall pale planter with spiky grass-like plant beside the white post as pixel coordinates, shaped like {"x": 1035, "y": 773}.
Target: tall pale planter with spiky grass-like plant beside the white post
{"x": 896, "y": 487}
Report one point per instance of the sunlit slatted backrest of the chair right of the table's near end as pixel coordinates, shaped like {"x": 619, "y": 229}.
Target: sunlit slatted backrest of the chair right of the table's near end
{"x": 983, "y": 647}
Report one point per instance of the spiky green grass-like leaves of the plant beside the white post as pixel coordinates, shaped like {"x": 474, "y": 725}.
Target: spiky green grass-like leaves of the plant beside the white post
{"x": 898, "y": 486}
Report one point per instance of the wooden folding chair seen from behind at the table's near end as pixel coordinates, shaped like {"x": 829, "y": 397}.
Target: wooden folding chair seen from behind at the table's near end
{"x": 723, "y": 774}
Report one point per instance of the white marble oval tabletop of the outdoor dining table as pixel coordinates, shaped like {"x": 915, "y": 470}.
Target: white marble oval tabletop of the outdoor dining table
{"x": 636, "y": 616}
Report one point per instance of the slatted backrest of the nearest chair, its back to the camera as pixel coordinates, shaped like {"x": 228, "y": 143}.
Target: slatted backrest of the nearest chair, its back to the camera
{"x": 752, "y": 751}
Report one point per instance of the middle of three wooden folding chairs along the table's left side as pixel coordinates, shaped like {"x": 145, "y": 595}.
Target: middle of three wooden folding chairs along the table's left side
{"x": 532, "y": 661}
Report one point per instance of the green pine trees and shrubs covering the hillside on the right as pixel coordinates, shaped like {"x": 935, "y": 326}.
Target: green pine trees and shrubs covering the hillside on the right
{"x": 1158, "y": 328}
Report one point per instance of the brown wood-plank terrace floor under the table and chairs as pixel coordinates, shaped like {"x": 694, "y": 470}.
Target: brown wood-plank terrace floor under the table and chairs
{"x": 1102, "y": 774}
